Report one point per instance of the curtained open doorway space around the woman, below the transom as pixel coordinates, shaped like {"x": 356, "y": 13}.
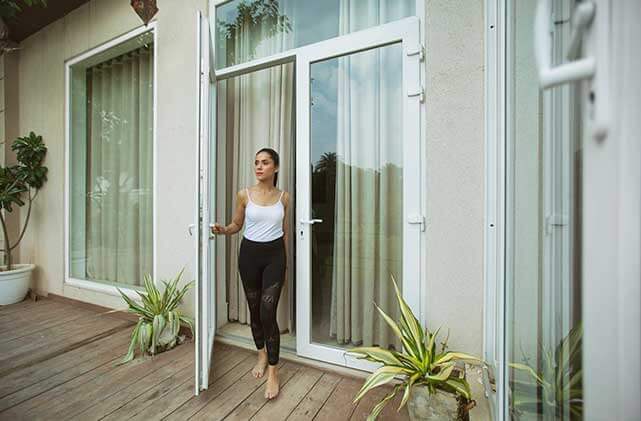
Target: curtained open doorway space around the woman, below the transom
{"x": 254, "y": 111}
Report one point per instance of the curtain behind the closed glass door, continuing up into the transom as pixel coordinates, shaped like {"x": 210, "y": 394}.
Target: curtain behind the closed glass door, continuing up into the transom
{"x": 368, "y": 212}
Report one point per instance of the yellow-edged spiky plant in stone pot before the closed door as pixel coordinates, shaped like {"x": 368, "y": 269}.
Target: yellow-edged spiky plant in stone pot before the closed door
{"x": 433, "y": 381}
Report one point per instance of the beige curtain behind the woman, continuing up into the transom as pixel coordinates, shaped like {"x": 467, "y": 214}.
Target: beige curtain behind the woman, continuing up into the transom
{"x": 259, "y": 113}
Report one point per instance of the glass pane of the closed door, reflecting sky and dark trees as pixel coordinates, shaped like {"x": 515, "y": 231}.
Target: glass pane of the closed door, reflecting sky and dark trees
{"x": 357, "y": 184}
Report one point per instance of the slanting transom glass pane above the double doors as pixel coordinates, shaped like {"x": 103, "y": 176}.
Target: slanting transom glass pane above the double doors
{"x": 251, "y": 29}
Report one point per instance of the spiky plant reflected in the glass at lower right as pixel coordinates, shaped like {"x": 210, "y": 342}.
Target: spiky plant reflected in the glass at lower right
{"x": 558, "y": 385}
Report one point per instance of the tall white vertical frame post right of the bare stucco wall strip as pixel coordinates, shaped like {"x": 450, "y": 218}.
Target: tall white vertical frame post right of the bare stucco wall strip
{"x": 494, "y": 221}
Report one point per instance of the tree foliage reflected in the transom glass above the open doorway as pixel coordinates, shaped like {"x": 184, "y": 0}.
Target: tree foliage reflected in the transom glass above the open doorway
{"x": 257, "y": 20}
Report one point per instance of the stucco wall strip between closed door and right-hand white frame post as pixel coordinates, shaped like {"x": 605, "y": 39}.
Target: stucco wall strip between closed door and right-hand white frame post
{"x": 455, "y": 170}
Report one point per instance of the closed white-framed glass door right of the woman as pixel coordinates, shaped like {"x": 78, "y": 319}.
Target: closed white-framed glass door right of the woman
{"x": 358, "y": 209}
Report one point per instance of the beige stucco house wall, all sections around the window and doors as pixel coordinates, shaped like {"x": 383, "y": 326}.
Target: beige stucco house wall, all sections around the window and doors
{"x": 454, "y": 154}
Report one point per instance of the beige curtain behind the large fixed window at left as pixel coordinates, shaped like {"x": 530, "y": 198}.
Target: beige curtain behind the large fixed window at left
{"x": 119, "y": 168}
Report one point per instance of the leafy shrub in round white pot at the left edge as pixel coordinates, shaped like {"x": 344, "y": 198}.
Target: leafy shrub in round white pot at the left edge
{"x": 19, "y": 185}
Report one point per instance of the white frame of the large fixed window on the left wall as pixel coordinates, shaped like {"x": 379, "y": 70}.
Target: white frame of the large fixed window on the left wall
{"x": 94, "y": 285}
